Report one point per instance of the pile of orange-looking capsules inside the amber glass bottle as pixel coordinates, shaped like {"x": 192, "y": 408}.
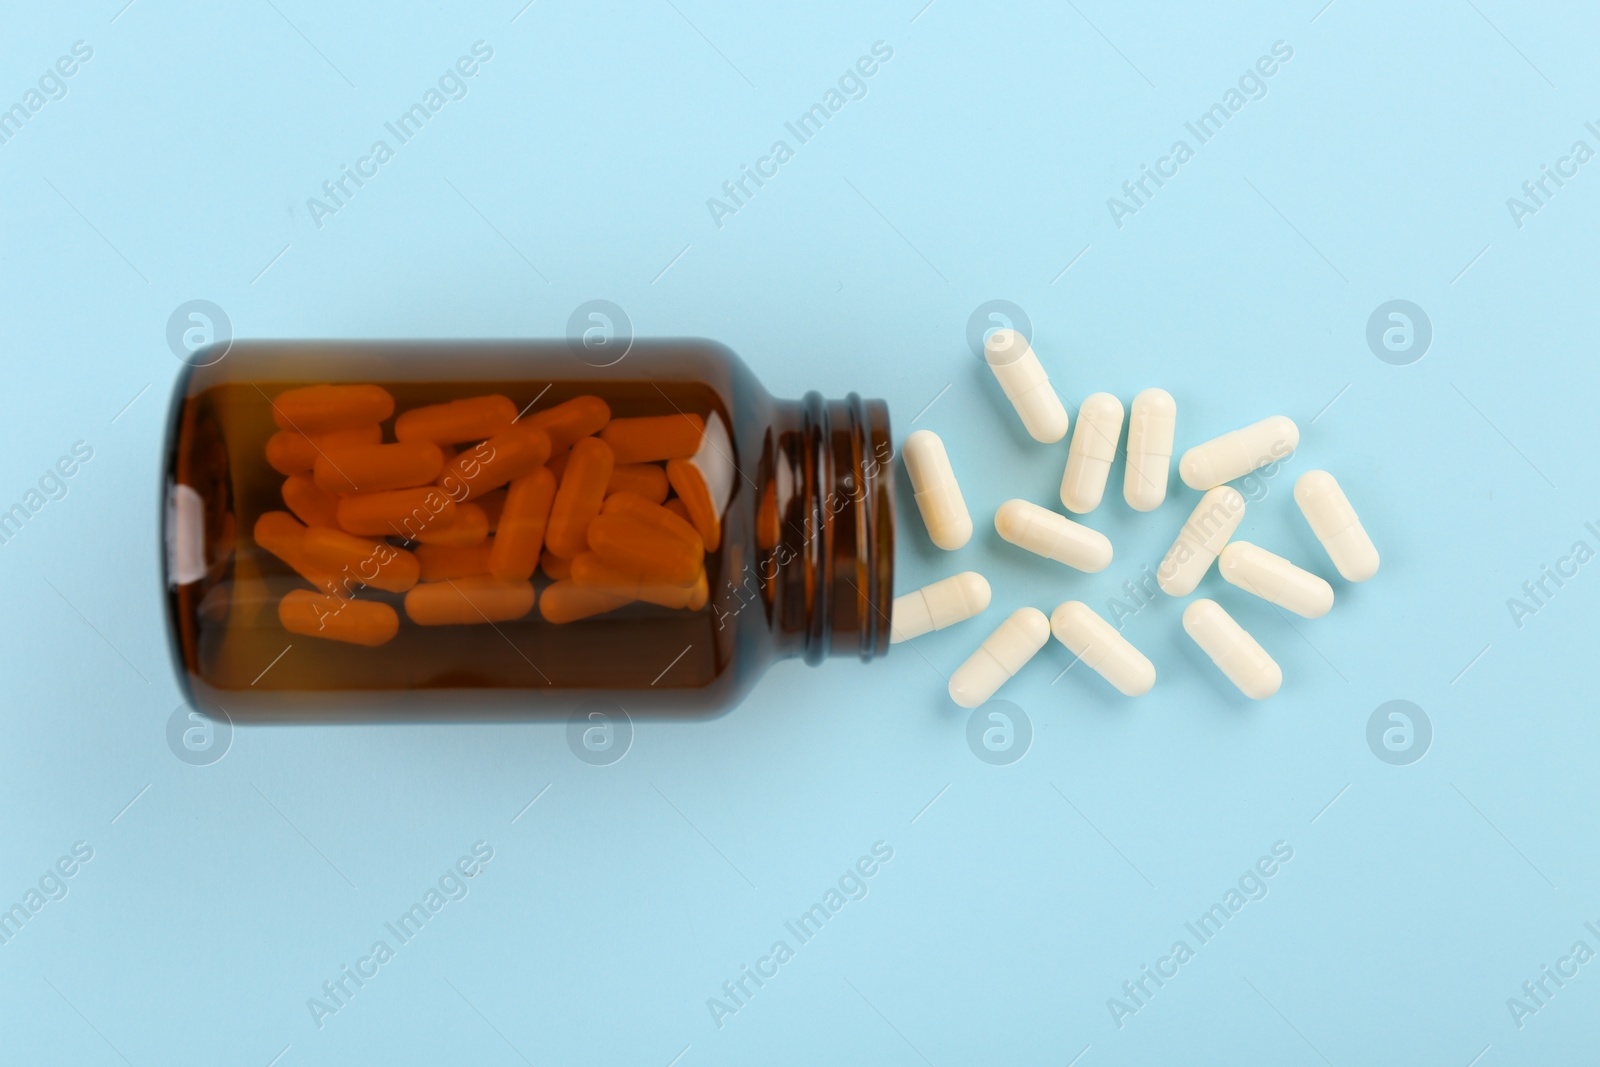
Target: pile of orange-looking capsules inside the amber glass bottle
{"x": 612, "y": 511}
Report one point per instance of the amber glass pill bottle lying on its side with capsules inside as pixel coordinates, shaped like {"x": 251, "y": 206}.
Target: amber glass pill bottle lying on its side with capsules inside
{"x": 489, "y": 530}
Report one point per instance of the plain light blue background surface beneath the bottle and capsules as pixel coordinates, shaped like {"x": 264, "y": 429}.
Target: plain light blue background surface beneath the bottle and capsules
{"x": 977, "y": 167}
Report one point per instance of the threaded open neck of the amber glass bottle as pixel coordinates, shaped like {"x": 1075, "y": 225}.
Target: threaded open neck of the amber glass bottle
{"x": 831, "y": 526}
